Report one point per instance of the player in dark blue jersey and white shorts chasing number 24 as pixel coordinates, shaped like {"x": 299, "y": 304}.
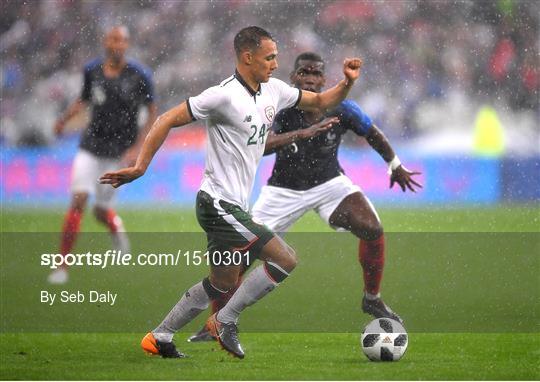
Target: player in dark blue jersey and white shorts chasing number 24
{"x": 307, "y": 176}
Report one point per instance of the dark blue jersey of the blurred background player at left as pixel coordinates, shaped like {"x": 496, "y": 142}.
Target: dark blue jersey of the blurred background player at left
{"x": 115, "y": 106}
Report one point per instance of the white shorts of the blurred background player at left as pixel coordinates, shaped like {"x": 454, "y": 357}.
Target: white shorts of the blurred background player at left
{"x": 87, "y": 169}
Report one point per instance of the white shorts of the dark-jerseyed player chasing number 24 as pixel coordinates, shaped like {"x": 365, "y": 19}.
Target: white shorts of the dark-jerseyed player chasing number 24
{"x": 279, "y": 208}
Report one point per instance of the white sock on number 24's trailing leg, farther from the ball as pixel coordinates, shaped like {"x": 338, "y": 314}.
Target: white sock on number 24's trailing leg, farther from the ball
{"x": 193, "y": 302}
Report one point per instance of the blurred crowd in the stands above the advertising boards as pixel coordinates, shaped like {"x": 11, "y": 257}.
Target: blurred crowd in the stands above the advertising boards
{"x": 416, "y": 53}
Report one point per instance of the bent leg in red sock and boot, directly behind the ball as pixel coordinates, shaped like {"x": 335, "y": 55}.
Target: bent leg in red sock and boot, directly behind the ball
{"x": 356, "y": 214}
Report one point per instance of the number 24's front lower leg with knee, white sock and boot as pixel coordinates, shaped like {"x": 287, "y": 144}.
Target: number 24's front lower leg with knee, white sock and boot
{"x": 279, "y": 259}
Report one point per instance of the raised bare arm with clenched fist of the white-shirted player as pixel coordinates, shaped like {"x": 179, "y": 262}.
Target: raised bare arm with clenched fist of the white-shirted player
{"x": 333, "y": 96}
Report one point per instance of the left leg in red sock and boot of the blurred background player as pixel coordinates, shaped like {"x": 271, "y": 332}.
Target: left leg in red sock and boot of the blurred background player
{"x": 70, "y": 230}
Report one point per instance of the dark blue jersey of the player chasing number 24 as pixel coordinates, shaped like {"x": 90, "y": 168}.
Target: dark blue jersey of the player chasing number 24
{"x": 309, "y": 163}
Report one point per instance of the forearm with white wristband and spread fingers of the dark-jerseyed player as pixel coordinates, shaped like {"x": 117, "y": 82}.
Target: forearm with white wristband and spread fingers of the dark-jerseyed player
{"x": 398, "y": 173}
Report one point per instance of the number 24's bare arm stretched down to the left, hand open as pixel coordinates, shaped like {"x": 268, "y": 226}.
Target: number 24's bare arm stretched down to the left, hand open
{"x": 177, "y": 116}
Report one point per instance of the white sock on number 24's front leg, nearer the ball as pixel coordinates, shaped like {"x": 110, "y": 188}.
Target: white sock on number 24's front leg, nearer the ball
{"x": 257, "y": 285}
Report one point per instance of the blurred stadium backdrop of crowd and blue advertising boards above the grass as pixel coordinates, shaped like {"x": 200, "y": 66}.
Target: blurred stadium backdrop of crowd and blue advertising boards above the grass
{"x": 453, "y": 84}
